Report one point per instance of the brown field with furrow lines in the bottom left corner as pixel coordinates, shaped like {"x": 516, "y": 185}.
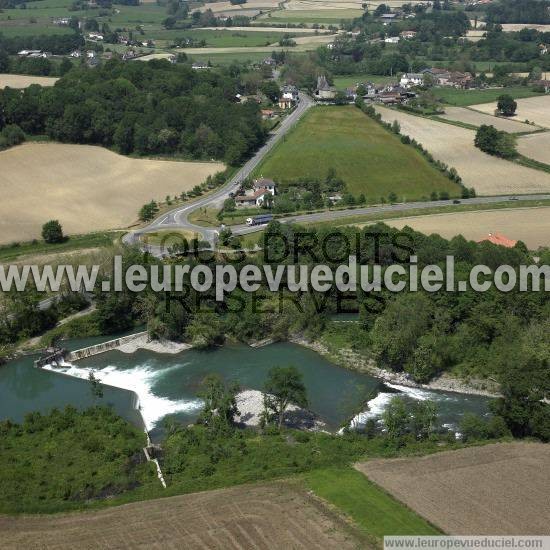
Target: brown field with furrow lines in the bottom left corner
{"x": 276, "y": 515}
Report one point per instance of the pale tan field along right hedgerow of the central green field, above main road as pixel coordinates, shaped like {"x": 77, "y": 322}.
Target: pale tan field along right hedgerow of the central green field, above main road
{"x": 455, "y": 146}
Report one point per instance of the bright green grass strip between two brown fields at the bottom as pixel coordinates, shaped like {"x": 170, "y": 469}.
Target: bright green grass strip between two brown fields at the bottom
{"x": 373, "y": 510}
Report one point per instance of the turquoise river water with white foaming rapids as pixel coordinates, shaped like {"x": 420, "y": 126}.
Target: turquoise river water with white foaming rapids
{"x": 163, "y": 384}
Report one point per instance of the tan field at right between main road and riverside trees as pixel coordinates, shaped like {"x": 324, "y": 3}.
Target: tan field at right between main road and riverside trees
{"x": 530, "y": 225}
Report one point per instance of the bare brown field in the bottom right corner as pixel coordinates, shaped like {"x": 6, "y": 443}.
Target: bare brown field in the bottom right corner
{"x": 498, "y": 489}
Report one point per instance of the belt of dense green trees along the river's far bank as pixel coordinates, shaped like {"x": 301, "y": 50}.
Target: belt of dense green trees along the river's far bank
{"x": 489, "y": 335}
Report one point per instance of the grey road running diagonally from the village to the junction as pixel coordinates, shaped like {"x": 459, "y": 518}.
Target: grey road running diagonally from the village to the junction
{"x": 178, "y": 217}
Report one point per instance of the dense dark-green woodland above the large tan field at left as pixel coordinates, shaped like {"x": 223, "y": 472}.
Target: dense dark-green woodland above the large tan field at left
{"x": 143, "y": 108}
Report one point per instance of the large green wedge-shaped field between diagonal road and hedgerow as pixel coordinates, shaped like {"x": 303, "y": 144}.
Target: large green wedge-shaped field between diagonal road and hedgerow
{"x": 370, "y": 159}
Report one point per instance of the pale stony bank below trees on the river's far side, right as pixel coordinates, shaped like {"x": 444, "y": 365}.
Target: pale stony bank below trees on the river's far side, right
{"x": 349, "y": 359}
